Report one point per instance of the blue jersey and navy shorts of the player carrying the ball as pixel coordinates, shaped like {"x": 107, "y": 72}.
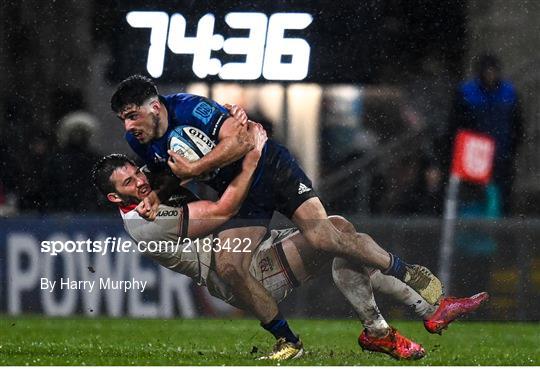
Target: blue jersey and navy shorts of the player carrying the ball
{"x": 279, "y": 183}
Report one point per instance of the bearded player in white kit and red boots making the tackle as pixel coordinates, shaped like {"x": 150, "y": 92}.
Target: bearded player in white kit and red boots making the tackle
{"x": 280, "y": 263}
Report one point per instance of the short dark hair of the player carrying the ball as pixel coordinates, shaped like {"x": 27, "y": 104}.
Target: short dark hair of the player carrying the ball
{"x": 133, "y": 90}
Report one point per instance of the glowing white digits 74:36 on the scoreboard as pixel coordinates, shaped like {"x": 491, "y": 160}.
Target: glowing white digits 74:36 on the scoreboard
{"x": 266, "y": 50}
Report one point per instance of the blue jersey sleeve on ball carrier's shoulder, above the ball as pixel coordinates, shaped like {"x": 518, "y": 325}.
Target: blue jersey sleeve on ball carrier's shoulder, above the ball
{"x": 200, "y": 112}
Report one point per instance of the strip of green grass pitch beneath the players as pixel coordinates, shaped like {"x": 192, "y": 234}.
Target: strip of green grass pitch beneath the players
{"x": 104, "y": 341}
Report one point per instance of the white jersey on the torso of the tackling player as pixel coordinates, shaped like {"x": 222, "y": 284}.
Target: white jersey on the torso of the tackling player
{"x": 179, "y": 253}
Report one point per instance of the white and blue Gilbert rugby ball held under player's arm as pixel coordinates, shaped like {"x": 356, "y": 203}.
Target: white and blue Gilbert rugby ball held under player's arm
{"x": 190, "y": 142}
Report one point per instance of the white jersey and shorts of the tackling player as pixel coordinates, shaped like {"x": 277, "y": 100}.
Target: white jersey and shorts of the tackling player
{"x": 171, "y": 223}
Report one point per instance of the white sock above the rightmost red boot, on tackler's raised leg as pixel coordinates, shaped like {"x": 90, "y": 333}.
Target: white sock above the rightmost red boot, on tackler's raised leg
{"x": 401, "y": 292}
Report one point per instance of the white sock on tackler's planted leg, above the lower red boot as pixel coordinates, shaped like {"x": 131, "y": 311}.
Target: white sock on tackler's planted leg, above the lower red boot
{"x": 353, "y": 282}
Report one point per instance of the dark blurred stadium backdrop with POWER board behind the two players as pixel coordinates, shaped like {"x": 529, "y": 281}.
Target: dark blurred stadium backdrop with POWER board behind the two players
{"x": 377, "y": 94}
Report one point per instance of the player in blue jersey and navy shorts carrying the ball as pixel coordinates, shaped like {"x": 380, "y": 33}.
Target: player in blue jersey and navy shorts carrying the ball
{"x": 279, "y": 185}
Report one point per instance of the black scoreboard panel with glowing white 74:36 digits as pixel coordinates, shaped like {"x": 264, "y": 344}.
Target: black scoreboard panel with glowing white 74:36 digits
{"x": 184, "y": 41}
